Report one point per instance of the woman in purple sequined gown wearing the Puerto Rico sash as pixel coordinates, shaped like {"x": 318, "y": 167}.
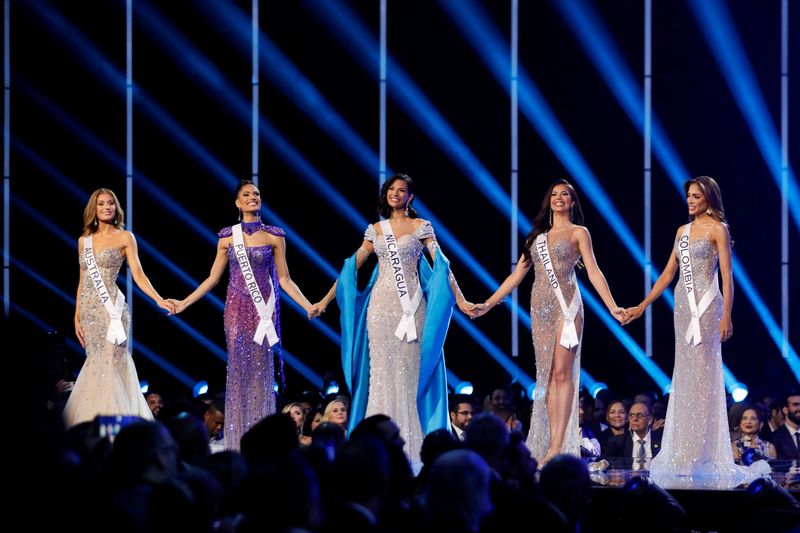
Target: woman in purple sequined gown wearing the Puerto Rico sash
{"x": 249, "y": 392}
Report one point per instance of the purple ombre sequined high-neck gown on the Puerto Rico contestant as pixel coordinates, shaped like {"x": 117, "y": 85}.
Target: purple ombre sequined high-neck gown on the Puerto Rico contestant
{"x": 249, "y": 393}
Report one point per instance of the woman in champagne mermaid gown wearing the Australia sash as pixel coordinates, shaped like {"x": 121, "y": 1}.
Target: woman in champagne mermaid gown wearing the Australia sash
{"x": 108, "y": 383}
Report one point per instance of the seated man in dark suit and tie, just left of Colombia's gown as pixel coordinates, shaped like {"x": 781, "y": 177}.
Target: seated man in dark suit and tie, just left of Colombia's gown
{"x": 634, "y": 448}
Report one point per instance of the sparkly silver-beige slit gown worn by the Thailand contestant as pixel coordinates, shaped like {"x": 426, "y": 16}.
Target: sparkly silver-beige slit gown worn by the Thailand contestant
{"x": 546, "y": 324}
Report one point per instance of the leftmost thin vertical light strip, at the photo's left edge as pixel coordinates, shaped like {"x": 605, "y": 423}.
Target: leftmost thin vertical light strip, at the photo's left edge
{"x": 6, "y": 160}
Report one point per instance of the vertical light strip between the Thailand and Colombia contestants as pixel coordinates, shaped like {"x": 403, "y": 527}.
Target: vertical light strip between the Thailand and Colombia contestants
{"x": 648, "y": 197}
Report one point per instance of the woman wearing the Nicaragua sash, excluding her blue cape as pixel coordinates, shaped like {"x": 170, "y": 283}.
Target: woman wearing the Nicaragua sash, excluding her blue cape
{"x": 394, "y": 364}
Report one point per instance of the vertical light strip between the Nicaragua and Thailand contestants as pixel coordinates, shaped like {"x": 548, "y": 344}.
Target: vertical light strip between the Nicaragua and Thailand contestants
{"x": 514, "y": 169}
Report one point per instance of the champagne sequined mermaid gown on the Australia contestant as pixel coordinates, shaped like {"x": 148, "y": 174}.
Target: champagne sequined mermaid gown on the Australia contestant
{"x": 108, "y": 383}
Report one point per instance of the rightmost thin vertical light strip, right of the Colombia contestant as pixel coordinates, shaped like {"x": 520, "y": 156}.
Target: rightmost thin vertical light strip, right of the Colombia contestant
{"x": 785, "y": 177}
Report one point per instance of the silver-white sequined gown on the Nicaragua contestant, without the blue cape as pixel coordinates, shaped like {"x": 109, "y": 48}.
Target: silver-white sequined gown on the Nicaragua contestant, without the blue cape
{"x": 394, "y": 364}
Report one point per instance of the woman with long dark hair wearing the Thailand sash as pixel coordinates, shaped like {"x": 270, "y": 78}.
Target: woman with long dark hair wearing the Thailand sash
{"x": 554, "y": 416}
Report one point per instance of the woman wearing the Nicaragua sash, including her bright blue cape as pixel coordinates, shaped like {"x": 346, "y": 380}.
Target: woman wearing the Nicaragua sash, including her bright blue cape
{"x": 399, "y": 378}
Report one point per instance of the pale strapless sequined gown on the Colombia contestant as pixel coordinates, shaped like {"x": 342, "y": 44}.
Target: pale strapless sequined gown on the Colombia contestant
{"x": 696, "y": 447}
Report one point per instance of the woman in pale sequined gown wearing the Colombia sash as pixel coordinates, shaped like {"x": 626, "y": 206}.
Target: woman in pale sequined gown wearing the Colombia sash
{"x": 696, "y": 449}
